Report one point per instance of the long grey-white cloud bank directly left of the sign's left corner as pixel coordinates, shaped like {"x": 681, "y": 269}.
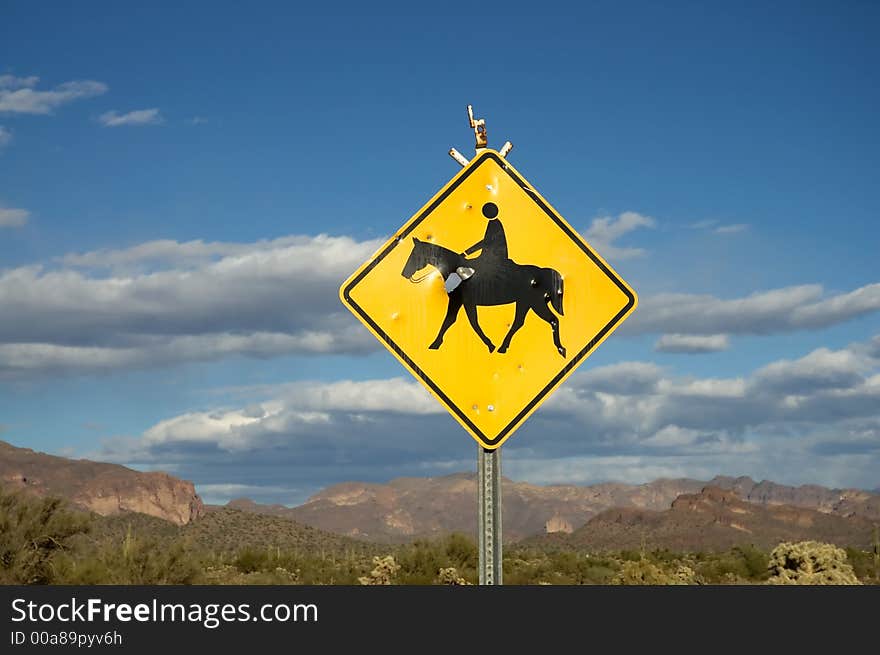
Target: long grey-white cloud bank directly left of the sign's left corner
{"x": 186, "y": 302}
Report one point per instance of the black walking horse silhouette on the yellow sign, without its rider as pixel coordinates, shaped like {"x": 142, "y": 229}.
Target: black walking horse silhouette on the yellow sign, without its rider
{"x": 530, "y": 287}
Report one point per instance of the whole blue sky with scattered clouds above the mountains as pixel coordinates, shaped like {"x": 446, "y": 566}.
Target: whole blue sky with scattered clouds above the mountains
{"x": 183, "y": 189}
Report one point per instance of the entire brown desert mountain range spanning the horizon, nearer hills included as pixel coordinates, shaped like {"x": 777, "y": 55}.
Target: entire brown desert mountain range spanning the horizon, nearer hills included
{"x": 673, "y": 513}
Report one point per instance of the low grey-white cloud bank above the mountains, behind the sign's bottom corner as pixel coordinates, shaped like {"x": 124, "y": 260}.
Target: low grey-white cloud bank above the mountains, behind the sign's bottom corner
{"x": 632, "y": 421}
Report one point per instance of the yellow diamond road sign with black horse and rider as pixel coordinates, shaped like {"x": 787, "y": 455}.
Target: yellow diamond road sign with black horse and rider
{"x": 489, "y": 298}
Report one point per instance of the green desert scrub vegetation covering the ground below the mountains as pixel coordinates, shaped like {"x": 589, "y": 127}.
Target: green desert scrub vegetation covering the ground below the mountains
{"x": 43, "y": 541}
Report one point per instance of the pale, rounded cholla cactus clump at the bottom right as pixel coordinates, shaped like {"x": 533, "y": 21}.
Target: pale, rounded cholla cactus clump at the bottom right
{"x": 810, "y": 562}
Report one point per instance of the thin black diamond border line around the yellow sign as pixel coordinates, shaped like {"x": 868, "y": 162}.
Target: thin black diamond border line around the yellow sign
{"x": 473, "y": 166}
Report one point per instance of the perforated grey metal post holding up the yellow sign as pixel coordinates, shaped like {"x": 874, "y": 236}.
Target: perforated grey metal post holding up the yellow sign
{"x": 489, "y": 493}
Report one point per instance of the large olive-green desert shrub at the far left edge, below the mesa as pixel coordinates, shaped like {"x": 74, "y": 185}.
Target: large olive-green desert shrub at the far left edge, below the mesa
{"x": 34, "y": 532}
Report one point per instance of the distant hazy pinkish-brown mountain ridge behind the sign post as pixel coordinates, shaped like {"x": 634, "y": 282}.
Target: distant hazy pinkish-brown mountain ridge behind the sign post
{"x": 407, "y": 508}
